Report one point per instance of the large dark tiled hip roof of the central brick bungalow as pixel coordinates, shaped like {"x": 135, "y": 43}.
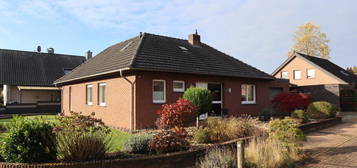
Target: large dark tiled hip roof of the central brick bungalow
{"x": 151, "y": 52}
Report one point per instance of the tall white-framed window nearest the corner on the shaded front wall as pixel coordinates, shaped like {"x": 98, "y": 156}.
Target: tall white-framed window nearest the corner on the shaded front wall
{"x": 159, "y": 91}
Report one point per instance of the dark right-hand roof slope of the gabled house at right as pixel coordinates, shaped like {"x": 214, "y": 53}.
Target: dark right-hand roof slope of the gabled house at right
{"x": 332, "y": 68}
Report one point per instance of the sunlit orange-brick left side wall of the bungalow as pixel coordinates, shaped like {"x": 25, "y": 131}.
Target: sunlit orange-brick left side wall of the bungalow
{"x": 115, "y": 113}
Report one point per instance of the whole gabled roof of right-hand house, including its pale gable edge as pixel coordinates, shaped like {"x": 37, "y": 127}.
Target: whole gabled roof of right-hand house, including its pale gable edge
{"x": 325, "y": 64}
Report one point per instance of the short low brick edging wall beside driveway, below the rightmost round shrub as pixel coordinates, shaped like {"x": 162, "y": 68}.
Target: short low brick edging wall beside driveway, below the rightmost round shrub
{"x": 320, "y": 124}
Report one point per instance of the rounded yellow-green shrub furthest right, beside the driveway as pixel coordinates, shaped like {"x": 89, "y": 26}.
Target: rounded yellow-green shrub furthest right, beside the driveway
{"x": 321, "y": 110}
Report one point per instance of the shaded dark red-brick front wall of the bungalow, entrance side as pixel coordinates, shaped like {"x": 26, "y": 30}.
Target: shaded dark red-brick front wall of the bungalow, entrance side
{"x": 146, "y": 109}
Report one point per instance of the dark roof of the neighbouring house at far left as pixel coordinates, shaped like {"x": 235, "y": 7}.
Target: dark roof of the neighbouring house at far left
{"x": 34, "y": 69}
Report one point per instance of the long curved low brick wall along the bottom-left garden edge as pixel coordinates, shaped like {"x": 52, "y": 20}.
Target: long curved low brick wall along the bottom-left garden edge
{"x": 172, "y": 160}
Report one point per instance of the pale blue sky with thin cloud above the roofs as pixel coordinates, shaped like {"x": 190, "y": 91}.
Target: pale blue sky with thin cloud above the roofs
{"x": 258, "y": 32}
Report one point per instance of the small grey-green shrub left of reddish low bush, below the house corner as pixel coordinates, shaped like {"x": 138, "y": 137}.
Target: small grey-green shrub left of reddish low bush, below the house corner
{"x": 137, "y": 144}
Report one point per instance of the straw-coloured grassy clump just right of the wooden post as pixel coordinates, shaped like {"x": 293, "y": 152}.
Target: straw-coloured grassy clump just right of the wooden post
{"x": 269, "y": 153}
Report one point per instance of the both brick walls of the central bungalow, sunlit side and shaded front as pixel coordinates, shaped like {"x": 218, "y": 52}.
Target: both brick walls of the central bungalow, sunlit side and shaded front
{"x": 117, "y": 112}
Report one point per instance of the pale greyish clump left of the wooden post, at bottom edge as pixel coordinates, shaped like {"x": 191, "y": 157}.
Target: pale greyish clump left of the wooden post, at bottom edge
{"x": 218, "y": 157}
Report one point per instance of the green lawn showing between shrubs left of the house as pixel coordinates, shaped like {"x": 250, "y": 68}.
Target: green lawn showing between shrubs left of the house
{"x": 118, "y": 137}
